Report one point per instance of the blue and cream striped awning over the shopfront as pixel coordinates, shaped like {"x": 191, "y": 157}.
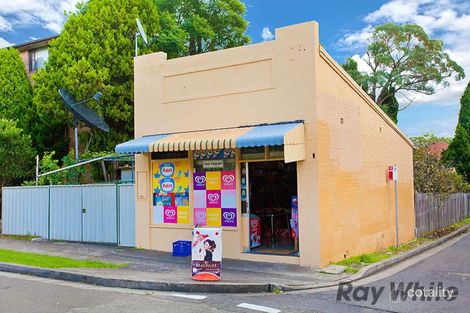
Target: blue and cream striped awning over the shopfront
{"x": 289, "y": 134}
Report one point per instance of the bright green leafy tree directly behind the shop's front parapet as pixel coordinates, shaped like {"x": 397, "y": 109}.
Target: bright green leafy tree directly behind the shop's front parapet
{"x": 210, "y": 25}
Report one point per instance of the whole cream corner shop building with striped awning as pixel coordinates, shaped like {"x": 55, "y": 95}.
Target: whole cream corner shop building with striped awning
{"x": 274, "y": 143}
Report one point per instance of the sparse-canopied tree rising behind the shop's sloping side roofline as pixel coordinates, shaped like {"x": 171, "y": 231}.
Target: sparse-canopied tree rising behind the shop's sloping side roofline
{"x": 403, "y": 59}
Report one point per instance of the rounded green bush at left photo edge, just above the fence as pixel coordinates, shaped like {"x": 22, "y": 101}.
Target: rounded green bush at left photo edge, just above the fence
{"x": 16, "y": 154}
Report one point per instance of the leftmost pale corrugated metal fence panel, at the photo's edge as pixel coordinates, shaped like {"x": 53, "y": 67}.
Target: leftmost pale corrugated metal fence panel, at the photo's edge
{"x": 25, "y": 210}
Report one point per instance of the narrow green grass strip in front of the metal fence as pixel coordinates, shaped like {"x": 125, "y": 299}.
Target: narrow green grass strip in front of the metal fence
{"x": 49, "y": 261}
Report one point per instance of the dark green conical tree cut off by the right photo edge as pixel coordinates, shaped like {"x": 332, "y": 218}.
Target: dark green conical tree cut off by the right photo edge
{"x": 458, "y": 153}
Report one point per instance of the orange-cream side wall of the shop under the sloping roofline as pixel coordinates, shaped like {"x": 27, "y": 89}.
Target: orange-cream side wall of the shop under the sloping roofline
{"x": 356, "y": 144}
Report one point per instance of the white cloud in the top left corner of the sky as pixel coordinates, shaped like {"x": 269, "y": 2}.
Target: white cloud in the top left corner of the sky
{"x": 48, "y": 14}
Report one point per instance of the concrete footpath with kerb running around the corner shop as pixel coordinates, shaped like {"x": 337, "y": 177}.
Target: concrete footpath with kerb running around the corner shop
{"x": 155, "y": 270}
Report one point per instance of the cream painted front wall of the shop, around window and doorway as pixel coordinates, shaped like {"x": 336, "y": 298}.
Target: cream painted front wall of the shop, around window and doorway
{"x": 263, "y": 83}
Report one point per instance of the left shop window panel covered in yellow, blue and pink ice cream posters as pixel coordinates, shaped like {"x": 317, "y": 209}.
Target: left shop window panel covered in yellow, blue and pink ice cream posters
{"x": 170, "y": 185}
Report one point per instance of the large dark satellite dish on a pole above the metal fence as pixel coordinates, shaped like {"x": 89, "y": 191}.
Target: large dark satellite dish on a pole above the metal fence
{"x": 81, "y": 112}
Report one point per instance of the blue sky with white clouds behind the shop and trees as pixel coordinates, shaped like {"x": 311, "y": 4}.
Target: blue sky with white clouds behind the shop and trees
{"x": 345, "y": 27}
